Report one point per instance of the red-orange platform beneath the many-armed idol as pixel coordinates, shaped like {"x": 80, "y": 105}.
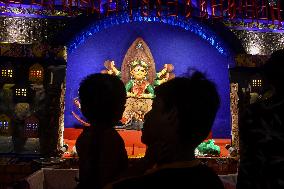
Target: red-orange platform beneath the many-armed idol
{"x": 222, "y": 164}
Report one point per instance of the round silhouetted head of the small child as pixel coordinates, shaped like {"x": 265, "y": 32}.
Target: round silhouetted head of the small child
{"x": 102, "y": 98}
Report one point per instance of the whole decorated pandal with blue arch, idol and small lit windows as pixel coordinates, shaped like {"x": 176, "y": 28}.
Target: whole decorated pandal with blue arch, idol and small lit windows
{"x": 41, "y": 69}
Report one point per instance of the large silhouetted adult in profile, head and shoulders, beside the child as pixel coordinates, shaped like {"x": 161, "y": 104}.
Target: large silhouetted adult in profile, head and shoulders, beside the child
{"x": 181, "y": 117}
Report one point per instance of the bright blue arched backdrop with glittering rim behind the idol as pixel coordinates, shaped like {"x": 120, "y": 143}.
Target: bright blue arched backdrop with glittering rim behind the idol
{"x": 177, "y": 41}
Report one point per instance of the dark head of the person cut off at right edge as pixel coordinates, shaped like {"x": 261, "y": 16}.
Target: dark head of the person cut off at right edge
{"x": 273, "y": 70}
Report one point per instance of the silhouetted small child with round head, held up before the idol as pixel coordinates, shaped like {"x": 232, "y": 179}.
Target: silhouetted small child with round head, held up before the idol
{"x": 101, "y": 150}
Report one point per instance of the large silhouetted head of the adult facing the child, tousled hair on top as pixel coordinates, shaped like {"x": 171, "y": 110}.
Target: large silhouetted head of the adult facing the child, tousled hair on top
{"x": 185, "y": 108}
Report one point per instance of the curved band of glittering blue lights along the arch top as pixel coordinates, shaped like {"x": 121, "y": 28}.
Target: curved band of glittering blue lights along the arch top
{"x": 187, "y": 24}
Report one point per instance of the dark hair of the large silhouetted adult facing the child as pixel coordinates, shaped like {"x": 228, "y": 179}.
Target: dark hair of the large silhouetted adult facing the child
{"x": 196, "y": 100}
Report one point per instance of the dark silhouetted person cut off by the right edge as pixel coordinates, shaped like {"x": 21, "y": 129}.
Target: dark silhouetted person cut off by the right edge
{"x": 261, "y": 132}
